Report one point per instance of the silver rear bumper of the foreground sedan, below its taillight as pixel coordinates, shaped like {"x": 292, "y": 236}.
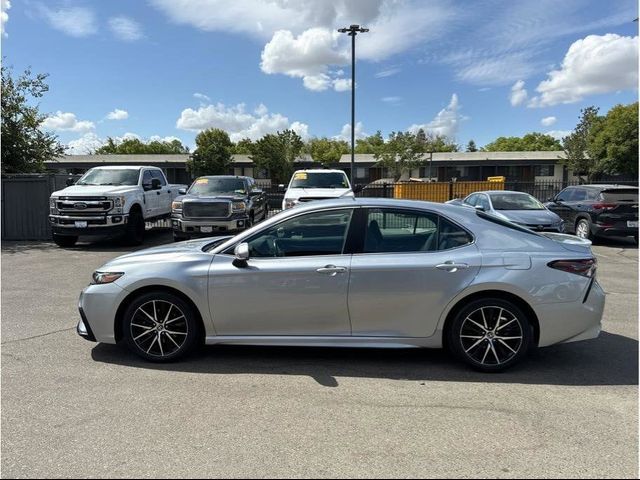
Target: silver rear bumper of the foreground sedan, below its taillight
{"x": 572, "y": 321}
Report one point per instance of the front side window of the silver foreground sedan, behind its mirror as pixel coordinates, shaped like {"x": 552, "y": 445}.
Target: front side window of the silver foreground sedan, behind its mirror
{"x": 318, "y": 233}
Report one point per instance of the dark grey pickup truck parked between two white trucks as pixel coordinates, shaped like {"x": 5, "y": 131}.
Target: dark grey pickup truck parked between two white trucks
{"x": 220, "y": 203}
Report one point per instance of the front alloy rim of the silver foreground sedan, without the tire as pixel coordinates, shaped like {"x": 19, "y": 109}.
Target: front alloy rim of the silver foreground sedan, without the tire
{"x": 159, "y": 328}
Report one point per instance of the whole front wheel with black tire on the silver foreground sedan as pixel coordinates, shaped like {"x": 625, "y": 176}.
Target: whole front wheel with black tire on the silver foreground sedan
{"x": 178, "y": 337}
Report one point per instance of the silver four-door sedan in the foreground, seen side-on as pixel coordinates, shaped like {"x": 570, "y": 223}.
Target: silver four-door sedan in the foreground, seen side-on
{"x": 354, "y": 273}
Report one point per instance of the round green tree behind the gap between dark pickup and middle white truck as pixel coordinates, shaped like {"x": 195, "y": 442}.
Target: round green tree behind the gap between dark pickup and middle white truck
{"x": 277, "y": 153}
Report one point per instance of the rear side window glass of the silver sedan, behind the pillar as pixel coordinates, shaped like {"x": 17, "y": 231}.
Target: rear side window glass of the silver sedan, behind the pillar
{"x": 393, "y": 231}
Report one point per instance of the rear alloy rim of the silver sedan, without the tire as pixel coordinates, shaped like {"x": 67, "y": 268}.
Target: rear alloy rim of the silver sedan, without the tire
{"x": 491, "y": 336}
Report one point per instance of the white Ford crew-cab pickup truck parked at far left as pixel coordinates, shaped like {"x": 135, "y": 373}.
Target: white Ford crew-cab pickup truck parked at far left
{"x": 111, "y": 200}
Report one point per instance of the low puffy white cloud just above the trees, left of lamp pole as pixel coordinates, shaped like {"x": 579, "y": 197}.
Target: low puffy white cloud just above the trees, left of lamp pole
{"x": 236, "y": 121}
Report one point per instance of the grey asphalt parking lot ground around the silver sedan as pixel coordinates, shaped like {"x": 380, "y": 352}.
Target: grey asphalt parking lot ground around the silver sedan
{"x": 71, "y": 408}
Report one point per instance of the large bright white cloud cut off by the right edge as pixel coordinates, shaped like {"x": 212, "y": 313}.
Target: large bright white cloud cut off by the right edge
{"x": 593, "y": 65}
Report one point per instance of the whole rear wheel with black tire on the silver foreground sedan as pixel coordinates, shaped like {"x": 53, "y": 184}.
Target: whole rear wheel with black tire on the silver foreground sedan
{"x": 491, "y": 349}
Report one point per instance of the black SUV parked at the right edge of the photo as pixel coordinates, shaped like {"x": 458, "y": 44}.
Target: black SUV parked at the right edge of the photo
{"x": 592, "y": 211}
